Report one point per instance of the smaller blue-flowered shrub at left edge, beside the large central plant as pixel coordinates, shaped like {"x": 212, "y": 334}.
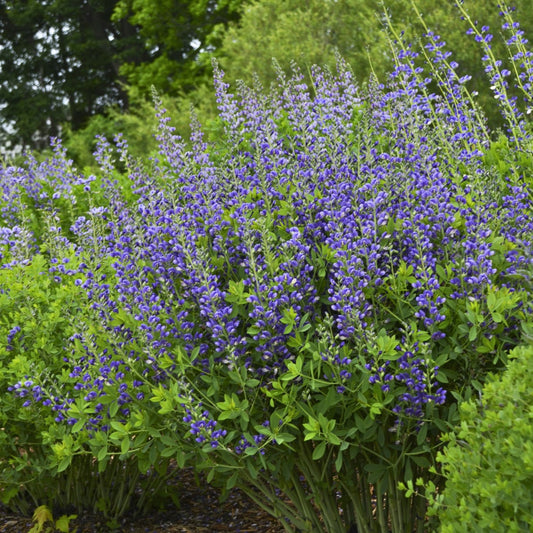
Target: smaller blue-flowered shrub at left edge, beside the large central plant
{"x": 44, "y": 311}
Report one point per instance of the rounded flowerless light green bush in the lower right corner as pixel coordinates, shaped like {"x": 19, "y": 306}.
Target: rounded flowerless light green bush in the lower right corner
{"x": 488, "y": 462}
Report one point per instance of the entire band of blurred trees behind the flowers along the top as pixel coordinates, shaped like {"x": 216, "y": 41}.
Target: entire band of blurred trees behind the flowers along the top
{"x": 65, "y": 61}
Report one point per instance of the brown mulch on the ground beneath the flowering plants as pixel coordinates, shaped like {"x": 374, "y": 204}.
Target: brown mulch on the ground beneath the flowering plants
{"x": 200, "y": 512}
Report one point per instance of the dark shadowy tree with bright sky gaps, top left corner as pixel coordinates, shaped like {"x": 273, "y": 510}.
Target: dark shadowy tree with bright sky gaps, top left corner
{"x": 59, "y": 62}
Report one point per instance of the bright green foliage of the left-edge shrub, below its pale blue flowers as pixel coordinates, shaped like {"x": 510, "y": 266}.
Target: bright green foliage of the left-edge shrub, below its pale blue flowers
{"x": 42, "y": 460}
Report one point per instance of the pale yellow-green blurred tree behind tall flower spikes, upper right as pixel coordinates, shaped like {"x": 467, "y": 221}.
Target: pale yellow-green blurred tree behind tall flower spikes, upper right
{"x": 309, "y": 32}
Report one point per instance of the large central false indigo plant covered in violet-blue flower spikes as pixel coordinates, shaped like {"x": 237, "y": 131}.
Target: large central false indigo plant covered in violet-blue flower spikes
{"x": 298, "y": 307}
